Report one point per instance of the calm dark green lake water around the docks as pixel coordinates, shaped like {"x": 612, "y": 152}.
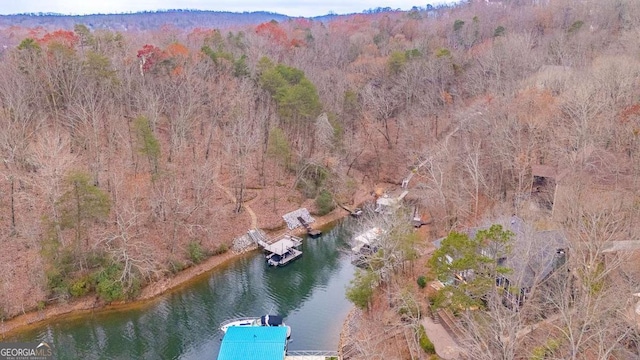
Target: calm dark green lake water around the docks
{"x": 309, "y": 293}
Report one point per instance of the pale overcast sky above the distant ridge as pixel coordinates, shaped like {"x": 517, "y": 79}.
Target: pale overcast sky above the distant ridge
{"x": 307, "y": 8}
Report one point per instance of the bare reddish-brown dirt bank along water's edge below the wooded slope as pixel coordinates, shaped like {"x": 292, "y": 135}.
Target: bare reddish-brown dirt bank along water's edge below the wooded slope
{"x": 150, "y": 293}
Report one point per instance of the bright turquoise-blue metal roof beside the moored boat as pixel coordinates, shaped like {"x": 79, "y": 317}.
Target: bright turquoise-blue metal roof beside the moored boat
{"x": 254, "y": 342}
